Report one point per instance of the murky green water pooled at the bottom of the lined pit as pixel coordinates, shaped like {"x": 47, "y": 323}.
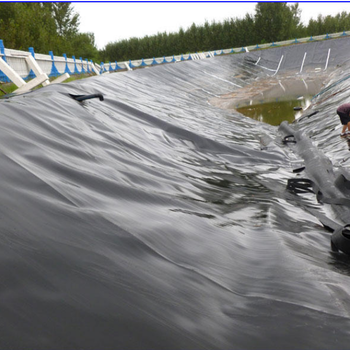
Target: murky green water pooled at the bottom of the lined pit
{"x": 274, "y": 112}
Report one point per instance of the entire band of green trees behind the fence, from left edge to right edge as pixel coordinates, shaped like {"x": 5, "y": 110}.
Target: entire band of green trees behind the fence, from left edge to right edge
{"x": 53, "y": 26}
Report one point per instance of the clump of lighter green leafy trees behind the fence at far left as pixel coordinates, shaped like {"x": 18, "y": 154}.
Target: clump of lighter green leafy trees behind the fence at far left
{"x": 46, "y": 26}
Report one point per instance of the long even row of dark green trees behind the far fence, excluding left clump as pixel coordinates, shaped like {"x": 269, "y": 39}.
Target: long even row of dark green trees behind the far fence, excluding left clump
{"x": 272, "y": 21}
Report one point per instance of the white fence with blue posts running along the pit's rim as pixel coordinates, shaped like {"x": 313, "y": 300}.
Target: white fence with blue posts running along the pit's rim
{"x": 21, "y": 66}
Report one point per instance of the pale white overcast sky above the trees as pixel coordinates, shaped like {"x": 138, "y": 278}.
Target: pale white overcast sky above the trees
{"x": 114, "y": 21}
